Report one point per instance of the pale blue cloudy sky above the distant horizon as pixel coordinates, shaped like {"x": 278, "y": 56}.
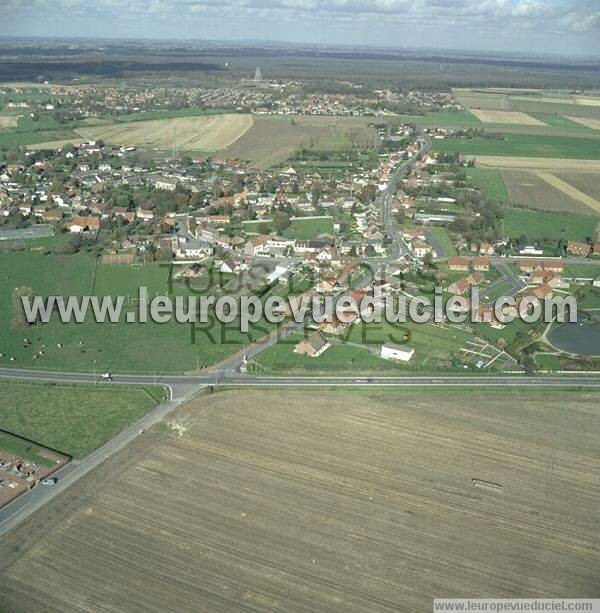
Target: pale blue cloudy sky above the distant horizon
{"x": 563, "y": 27}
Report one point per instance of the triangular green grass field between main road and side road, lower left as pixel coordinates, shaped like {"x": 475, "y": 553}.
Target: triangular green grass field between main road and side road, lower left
{"x": 71, "y": 419}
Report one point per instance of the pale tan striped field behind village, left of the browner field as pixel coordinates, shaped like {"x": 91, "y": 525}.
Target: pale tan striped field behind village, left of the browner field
{"x": 204, "y": 133}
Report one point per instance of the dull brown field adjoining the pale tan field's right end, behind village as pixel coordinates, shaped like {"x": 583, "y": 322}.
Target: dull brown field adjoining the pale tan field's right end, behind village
{"x": 272, "y": 139}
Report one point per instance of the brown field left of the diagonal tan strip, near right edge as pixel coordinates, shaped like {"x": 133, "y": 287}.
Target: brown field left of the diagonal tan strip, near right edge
{"x": 533, "y": 189}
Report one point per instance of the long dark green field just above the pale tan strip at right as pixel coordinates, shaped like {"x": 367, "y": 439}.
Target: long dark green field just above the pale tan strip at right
{"x": 523, "y": 145}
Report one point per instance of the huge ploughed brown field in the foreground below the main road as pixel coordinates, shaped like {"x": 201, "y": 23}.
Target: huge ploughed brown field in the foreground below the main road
{"x": 328, "y": 501}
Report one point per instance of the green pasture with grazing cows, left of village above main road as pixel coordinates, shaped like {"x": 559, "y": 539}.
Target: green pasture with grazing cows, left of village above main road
{"x": 120, "y": 347}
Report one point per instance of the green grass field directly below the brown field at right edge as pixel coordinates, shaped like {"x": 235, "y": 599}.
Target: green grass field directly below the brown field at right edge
{"x": 551, "y": 225}
